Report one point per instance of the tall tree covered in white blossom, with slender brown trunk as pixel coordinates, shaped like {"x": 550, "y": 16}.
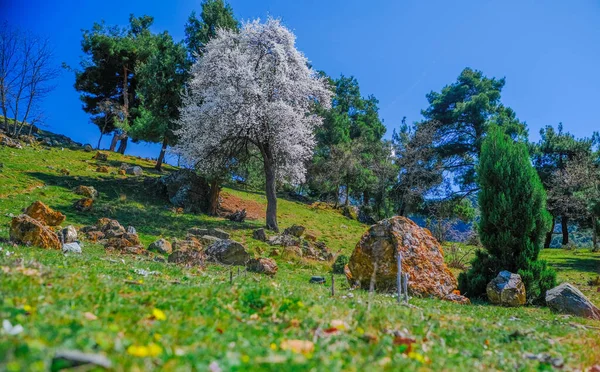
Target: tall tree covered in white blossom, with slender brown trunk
{"x": 253, "y": 91}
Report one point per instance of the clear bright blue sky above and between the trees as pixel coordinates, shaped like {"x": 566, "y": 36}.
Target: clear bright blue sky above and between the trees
{"x": 549, "y": 51}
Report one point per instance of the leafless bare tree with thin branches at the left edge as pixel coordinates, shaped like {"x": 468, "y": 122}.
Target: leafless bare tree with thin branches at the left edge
{"x": 26, "y": 73}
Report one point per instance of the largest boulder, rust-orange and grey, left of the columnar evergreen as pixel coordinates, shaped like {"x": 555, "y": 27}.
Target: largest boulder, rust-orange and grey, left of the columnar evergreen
{"x": 422, "y": 259}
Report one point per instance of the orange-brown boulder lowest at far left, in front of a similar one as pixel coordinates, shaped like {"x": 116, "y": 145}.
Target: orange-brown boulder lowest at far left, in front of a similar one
{"x": 24, "y": 229}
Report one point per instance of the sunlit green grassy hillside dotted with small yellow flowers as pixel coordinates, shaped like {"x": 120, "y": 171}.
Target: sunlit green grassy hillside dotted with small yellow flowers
{"x": 190, "y": 319}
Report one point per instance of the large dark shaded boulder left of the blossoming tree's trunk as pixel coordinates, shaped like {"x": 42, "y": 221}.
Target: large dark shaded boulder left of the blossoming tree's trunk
{"x": 184, "y": 188}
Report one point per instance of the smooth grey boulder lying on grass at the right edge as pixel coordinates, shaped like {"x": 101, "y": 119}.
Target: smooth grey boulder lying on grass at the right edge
{"x": 567, "y": 299}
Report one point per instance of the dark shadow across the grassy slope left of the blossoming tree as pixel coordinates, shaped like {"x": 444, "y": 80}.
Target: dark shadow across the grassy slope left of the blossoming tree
{"x": 131, "y": 201}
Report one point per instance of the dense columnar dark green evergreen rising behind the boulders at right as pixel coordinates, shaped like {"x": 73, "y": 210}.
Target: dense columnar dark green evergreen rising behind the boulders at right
{"x": 513, "y": 218}
